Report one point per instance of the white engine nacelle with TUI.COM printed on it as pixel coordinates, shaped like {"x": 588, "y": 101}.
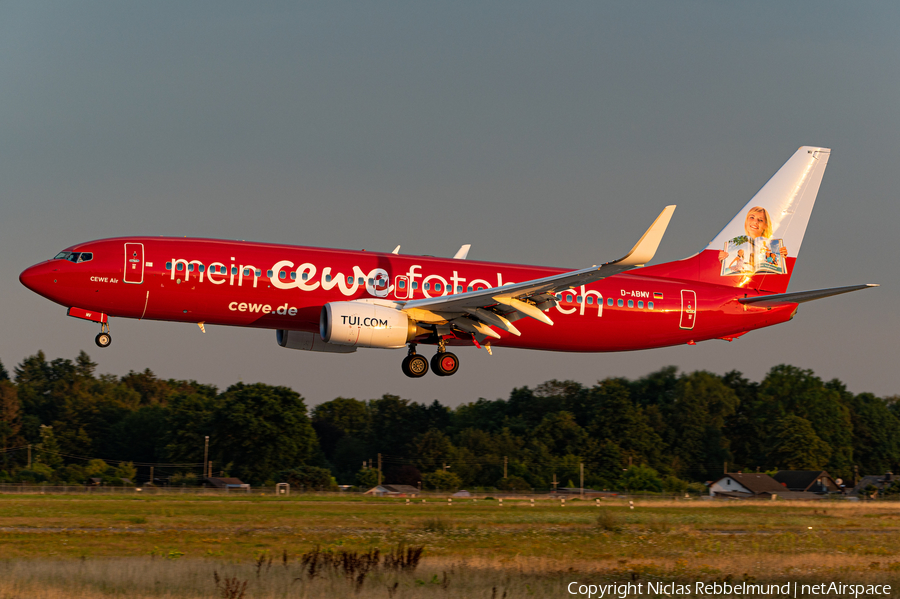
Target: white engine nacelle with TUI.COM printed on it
{"x": 361, "y": 324}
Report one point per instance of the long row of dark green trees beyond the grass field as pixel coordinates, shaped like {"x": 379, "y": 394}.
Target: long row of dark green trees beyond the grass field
{"x": 60, "y": 422}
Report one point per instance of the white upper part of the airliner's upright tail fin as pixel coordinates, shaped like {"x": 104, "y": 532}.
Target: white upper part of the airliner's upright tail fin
{"x": 787, "y": 200}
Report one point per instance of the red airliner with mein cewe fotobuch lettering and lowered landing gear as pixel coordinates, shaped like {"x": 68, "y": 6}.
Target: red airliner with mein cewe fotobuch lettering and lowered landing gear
{"x": 331, "y": 300}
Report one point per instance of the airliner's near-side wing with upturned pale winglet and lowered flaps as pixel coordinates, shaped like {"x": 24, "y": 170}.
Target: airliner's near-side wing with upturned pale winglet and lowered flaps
{"x": 476, "y": 311}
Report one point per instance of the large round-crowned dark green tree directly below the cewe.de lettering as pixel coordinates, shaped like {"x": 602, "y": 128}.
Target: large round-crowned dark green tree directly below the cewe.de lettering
{"x": 260, "y": 429}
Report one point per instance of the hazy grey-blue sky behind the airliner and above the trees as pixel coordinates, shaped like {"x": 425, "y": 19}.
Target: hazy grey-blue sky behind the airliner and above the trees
{"x": 541, "y": 133}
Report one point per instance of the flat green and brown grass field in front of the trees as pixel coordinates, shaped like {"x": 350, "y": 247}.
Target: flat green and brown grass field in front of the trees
{"x": 164, "y": 546}
